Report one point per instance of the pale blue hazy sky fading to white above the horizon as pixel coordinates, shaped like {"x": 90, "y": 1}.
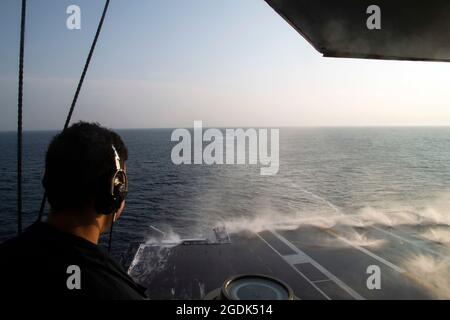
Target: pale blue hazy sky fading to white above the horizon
{"x": 229, "y": 63}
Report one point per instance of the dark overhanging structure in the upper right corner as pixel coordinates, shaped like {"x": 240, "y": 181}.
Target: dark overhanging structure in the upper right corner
{"x": 410, "y": 30}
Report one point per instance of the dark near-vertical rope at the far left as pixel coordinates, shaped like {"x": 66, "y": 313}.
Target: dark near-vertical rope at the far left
{"x": 19, "y": 118}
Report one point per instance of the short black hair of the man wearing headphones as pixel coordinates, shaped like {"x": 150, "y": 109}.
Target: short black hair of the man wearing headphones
{"x": 79, "y": 165}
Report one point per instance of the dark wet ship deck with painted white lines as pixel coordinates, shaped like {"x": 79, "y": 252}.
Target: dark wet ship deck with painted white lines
{"x": 337, "y": 270}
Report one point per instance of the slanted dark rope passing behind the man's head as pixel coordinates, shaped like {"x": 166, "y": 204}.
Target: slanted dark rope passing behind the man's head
{"x": 77, "y": 92}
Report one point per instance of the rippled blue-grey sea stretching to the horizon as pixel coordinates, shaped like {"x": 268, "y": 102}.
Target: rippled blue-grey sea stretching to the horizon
{"x": 388, "y": 176}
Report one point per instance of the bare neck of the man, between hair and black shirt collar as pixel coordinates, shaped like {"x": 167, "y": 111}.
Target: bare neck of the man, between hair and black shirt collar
{"x": 76, "y": 223}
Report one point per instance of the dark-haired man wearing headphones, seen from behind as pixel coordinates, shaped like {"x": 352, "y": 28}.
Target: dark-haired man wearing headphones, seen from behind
{"x": 86, "y": 186}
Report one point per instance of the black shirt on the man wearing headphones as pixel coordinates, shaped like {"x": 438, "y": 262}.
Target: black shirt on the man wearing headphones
{"x": 44, "y": 263}
